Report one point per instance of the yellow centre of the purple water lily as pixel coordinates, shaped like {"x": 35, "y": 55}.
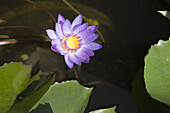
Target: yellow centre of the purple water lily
{"x": 71, "y": 43}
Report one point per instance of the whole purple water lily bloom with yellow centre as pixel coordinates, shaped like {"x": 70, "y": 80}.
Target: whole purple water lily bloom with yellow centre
{"x": 74, "y": 41}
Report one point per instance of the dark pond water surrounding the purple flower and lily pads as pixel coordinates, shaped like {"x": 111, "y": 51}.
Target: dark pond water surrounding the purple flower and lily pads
{"x": 129, "y": 29}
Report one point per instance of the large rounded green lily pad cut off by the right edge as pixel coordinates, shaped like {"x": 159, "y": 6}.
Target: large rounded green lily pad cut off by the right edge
{"x": 157, "y": 71}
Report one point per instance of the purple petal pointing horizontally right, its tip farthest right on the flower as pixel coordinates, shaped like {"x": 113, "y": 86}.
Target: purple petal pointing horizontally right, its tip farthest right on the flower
{"x": 92, "y": 46}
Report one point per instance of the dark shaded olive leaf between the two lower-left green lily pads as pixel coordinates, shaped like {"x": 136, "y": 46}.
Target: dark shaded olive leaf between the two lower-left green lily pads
{"x": 23, "y": 106}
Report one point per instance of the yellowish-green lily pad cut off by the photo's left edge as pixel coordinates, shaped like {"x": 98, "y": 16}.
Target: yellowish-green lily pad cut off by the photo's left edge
{"x": 14, "y": 79}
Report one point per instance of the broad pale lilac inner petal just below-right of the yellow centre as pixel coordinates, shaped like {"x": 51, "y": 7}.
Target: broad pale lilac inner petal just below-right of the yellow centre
{"x": 81, "y": 54}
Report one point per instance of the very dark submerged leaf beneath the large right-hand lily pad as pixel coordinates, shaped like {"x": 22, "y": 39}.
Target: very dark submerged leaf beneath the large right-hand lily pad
{"x": 143, "y": 101}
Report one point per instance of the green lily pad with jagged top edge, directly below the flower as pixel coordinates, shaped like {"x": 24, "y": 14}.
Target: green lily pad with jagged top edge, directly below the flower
{"x": 65, "y": 97}
